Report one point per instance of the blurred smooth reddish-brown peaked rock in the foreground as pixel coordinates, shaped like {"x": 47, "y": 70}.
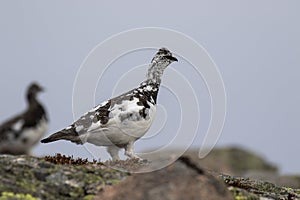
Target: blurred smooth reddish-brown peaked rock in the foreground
{"x": 181, "y": 180}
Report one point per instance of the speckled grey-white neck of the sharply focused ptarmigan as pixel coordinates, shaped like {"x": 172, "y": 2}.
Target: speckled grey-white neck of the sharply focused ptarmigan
{"x": 154, "y": 73}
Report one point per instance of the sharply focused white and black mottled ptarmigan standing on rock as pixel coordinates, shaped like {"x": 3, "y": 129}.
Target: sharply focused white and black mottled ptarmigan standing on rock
{"x": 120, "y": 121}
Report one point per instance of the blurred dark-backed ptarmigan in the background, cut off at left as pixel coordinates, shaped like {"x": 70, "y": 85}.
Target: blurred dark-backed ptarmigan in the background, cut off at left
{"x": 19, "y": 134}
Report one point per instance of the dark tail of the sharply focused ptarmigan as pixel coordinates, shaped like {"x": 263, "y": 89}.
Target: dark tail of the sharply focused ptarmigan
{"x": 64, "y": 134}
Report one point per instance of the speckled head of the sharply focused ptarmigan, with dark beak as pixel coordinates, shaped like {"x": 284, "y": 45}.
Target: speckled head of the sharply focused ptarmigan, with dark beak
{"x": 163, "y": 57}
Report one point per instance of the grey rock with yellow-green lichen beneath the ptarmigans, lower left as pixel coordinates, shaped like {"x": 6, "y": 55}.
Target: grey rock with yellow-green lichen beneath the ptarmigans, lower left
{"x": 25, "y": 176}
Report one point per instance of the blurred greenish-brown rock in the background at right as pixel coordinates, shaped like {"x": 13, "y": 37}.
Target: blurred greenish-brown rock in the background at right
{"x": 237, "y": 161}
